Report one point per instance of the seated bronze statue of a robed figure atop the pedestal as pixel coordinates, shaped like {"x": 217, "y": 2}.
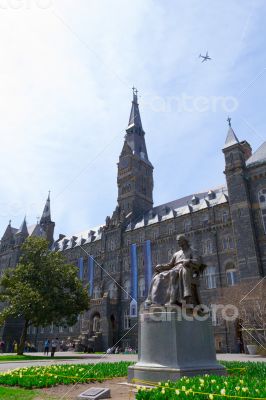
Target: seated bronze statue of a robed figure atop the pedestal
{"x": 177, "y": 282}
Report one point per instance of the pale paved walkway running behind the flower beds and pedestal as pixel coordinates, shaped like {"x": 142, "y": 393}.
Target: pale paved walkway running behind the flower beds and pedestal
{"x": 95, "y": 358}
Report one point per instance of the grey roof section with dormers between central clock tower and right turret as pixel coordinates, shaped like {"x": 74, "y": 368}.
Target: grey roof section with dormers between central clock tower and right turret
{"x": 181, "y": 207}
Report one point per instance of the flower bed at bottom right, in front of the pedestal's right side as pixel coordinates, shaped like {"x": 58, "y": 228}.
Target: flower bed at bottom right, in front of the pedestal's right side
{"x": 244, "y": 381}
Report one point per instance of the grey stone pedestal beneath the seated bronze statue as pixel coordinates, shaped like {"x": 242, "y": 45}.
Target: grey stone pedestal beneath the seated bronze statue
{"x": 171, "y": 346}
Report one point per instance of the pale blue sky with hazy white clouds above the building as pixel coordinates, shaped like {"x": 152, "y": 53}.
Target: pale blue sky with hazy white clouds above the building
{"x": 66, "y": 72}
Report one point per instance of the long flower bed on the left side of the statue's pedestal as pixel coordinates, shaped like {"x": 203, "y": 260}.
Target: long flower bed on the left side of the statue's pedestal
{"x": 39, "y": 377}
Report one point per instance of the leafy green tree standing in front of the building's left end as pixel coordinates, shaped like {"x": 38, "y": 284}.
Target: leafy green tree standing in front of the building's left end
{"x": 42, "y": 289}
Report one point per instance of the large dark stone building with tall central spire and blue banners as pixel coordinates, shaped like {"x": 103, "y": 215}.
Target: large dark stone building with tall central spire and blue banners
{"x": 227, "y": 225}
